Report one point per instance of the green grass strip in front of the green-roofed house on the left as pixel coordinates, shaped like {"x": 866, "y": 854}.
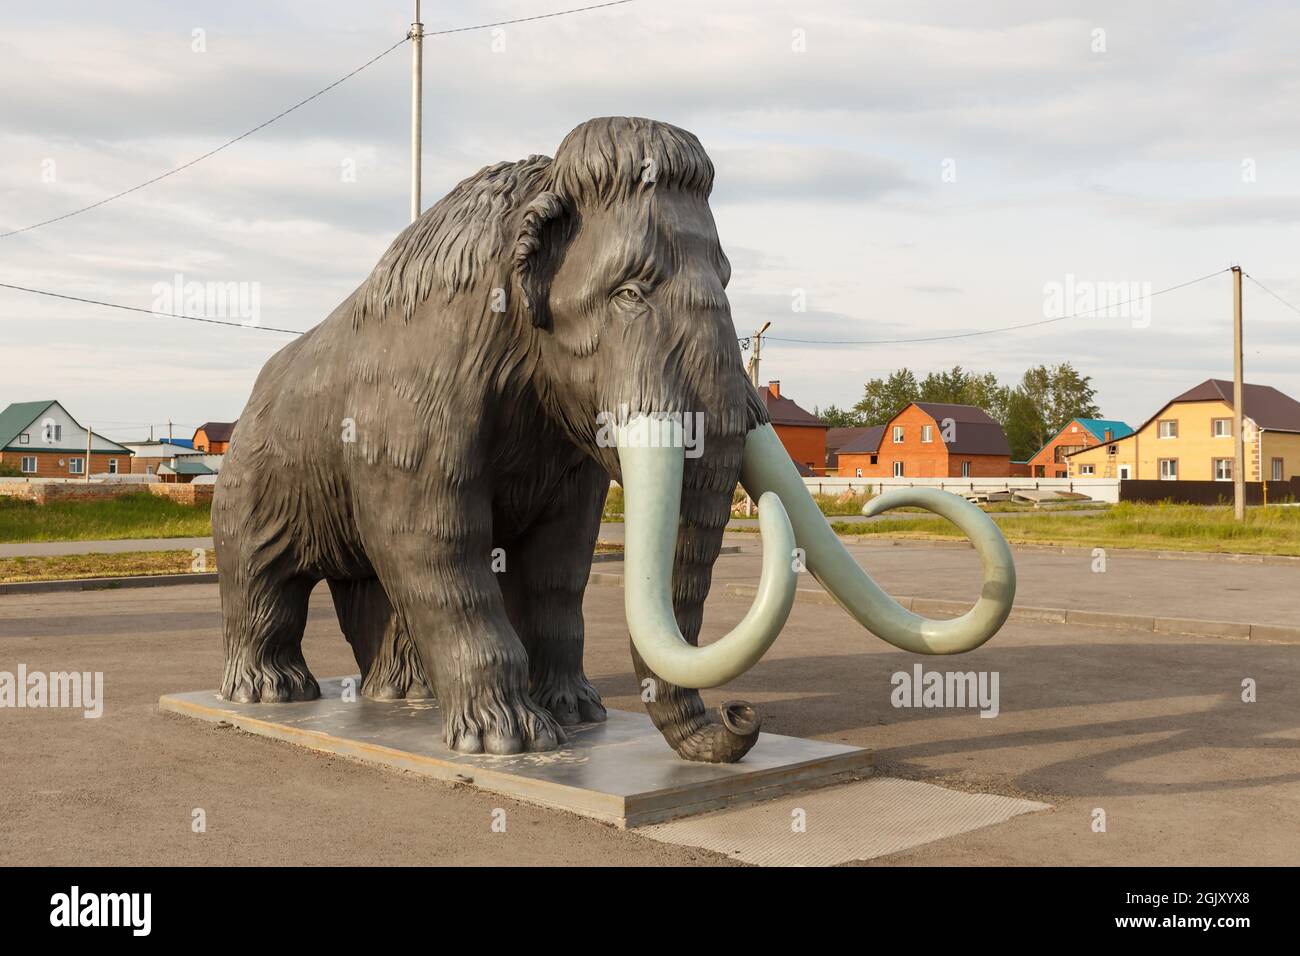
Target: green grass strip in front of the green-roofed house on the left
{"x": 132, "y": 516}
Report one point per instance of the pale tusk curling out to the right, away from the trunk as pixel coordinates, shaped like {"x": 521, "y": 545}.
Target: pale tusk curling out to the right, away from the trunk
{"x": 769, "y": 469}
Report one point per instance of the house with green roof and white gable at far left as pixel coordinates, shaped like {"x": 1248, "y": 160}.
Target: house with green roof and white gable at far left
{"x": 42, "y": 440}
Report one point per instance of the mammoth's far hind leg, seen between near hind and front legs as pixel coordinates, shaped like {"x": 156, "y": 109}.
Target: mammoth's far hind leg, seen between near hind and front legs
{"x": 391, "y": 668}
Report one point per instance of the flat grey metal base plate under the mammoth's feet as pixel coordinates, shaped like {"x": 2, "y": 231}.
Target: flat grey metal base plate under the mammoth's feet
{"x": 619, "y": 772}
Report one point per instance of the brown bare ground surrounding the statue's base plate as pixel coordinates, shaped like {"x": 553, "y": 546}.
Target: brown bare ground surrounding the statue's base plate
{"x": 1150, "y": 729}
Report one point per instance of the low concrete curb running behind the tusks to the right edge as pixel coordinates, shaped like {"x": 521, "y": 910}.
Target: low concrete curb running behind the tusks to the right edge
{"x": 1195, "y": 628}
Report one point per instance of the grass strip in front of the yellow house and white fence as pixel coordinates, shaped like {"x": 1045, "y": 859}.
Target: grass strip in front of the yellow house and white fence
{"x": 1151, "y": 527}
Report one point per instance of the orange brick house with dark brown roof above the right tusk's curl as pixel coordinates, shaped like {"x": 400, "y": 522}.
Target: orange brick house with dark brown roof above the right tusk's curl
{"x": 930, "y": 440}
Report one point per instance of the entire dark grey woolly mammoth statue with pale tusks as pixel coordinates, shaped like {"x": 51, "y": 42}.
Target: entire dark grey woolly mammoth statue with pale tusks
{"x": 457, "y": 410}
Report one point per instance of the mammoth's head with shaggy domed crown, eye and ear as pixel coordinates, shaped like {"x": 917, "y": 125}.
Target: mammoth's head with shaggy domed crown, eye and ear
{"x": 618, "y": 266}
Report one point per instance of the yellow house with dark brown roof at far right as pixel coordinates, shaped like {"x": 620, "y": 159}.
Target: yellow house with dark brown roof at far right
{"x": 1190, "y": 439}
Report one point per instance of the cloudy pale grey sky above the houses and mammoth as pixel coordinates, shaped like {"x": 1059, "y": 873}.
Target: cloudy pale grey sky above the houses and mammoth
{"x": 885, "y": 172}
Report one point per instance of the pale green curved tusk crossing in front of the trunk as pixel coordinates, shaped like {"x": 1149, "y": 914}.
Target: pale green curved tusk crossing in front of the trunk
{"x": 652, "y": 456}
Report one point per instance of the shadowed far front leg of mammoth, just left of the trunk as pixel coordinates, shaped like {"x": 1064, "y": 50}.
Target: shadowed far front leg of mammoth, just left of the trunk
{"x": 547, "y": 573}
